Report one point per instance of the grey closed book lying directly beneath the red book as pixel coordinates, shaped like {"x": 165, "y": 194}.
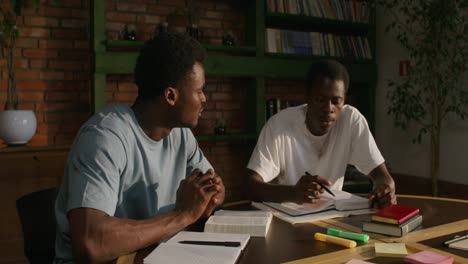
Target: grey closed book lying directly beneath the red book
{"x": 392, "y": 229}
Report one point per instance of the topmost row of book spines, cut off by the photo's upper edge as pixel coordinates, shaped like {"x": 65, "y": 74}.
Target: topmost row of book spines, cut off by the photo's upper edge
{"x": 349, "y": 10}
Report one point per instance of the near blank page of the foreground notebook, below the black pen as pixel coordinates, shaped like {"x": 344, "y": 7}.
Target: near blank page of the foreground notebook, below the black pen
{"x": 195, "y": 254}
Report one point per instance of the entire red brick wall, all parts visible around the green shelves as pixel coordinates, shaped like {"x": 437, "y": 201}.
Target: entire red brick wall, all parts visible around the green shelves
{"x": 53, "y": 66}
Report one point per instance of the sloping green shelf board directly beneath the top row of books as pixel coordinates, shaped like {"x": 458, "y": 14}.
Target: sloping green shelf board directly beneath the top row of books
{"x": 310, "y": 23}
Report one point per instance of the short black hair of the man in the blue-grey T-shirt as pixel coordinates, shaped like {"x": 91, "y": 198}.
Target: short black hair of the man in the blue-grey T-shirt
{"x": 165, "y": 61}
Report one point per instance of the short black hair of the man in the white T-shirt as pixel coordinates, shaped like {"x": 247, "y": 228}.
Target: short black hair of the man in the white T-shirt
{"x": 326, "y": 68}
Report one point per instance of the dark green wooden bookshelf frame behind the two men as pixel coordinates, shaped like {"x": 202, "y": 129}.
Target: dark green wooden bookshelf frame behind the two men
{"x": 252, "y": 60}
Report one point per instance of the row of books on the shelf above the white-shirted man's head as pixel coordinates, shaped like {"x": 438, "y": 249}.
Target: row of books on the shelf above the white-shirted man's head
{"x": 317, "y": 44}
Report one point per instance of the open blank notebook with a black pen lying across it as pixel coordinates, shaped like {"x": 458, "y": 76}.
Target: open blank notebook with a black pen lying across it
{"x": 175, "y": 250}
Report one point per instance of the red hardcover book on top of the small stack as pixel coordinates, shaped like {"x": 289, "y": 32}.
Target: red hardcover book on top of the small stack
{"x": 395, "y": 214}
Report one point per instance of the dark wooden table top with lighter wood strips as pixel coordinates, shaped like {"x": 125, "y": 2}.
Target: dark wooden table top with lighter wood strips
{"x": 442, "y": 218}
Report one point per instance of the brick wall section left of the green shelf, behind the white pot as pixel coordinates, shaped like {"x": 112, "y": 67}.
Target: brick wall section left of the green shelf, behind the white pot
{"x": 52, "y": 63}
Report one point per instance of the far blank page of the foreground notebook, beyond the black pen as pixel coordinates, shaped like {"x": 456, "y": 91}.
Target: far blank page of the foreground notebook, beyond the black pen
{"x": 208, "y": 236}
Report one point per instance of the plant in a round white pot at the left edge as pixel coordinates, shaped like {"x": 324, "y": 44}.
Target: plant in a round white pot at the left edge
{"x": 16, "y": 126}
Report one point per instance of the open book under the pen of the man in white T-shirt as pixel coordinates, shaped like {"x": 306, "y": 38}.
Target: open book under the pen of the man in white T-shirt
{"x": 342, "y": 201}
